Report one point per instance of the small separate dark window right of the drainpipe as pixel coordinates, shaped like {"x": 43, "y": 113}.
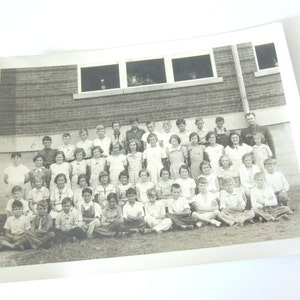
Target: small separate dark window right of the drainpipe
{"x": 266, "y": 56}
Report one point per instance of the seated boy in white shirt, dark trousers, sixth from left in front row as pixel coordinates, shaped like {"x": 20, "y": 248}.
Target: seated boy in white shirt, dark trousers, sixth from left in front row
{"x": 133, "y": 214}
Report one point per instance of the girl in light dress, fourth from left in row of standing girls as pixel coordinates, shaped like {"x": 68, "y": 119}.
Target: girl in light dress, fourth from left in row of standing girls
{"x": 95, "y": 166}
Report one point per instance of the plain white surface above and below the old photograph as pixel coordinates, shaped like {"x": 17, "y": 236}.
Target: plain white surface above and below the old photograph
{"x": 43, "y": 27}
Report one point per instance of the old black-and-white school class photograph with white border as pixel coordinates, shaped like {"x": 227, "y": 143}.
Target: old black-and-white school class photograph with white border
{"x": 146, "y": 149}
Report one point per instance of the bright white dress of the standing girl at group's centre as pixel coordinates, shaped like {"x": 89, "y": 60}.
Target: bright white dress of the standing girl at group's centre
{"x": 154, "y": 156}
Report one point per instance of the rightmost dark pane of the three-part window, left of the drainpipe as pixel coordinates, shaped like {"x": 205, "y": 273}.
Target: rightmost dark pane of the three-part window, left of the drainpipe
{"x": 189, "y": 68}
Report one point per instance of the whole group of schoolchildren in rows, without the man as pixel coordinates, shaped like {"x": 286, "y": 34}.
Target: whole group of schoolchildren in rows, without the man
{"x": 141, "y": 182}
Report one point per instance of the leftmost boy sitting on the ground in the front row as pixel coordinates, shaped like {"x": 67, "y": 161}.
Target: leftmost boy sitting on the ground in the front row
{"x": 15, "y": 226}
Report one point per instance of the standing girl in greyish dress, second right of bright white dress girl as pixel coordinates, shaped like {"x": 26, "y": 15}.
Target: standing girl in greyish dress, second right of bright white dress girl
{"x": 195, "y": 155}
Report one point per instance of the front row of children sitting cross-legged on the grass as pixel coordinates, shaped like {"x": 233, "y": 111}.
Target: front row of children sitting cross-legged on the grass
{"x": 89, "y": 219}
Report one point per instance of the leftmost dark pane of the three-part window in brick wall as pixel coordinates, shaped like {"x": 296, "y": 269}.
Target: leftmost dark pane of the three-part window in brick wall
{"x": 100, "y": 78}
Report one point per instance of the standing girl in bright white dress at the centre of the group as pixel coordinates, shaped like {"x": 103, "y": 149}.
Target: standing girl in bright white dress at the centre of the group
{"x": 154, "y": 158}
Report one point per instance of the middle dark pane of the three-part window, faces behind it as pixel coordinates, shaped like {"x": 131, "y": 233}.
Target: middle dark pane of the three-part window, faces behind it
{"x": 145, "y": 72}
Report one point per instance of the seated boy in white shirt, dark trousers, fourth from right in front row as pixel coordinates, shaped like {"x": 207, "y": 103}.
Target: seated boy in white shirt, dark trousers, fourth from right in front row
{"x": 179, "y": 210}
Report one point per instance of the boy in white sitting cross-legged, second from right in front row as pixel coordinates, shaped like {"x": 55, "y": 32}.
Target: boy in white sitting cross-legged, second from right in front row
{"x": 232, "y": 205}
